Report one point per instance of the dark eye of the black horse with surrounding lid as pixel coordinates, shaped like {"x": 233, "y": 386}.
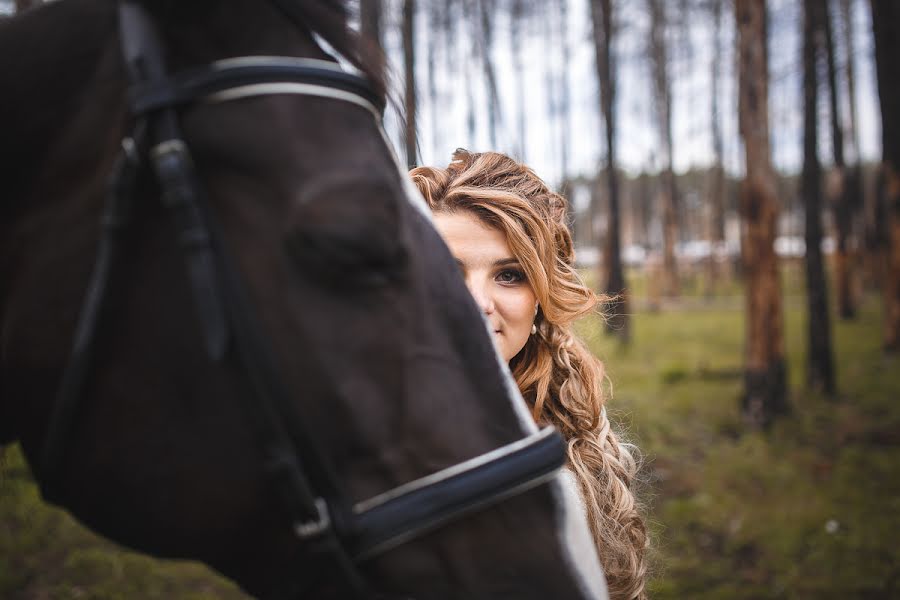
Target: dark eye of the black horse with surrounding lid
{"x": 348, "y": 237}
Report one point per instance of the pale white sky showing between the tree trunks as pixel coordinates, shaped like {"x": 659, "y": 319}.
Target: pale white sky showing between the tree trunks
{"x": 444, "y": 127}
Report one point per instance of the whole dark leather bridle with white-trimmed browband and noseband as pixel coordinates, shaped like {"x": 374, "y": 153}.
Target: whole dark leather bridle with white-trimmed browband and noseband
{"x": 332, "y": 529}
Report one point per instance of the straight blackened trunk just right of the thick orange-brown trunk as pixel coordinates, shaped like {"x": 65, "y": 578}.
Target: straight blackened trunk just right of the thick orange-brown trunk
{"x": 820, "y": 364}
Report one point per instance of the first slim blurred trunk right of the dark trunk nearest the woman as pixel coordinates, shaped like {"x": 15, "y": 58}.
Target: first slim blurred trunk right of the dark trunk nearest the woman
{"x": 662, "y": 86}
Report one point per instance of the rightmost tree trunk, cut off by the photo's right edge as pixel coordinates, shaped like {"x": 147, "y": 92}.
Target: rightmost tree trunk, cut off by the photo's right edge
{"x": 886, "y": 28}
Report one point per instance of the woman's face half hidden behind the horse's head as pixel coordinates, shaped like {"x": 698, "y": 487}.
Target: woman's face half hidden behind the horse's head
{"x": 494, "y": 277}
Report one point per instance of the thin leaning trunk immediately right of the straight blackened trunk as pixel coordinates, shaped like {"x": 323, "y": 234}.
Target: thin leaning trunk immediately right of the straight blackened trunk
{"x": 840, "y": 193}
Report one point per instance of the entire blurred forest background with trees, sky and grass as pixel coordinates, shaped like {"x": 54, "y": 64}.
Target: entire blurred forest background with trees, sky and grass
{"x": 755, "y": 246}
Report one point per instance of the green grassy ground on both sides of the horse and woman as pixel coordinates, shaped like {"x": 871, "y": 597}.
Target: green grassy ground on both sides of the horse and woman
{"x": 809, "y": 510}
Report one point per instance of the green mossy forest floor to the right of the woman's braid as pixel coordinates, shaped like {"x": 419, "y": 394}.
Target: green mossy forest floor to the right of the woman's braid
{"x": 809, "y": 509}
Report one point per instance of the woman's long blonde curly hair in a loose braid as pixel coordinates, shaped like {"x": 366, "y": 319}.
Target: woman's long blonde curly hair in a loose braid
{"x": 556, "y": 373}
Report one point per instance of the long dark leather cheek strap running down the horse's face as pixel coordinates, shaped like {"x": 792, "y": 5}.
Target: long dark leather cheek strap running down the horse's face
{"x": 289, "y": 453}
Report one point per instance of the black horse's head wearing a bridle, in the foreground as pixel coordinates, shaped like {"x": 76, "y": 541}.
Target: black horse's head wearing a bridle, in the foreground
{"x": 228, "y": 334}
